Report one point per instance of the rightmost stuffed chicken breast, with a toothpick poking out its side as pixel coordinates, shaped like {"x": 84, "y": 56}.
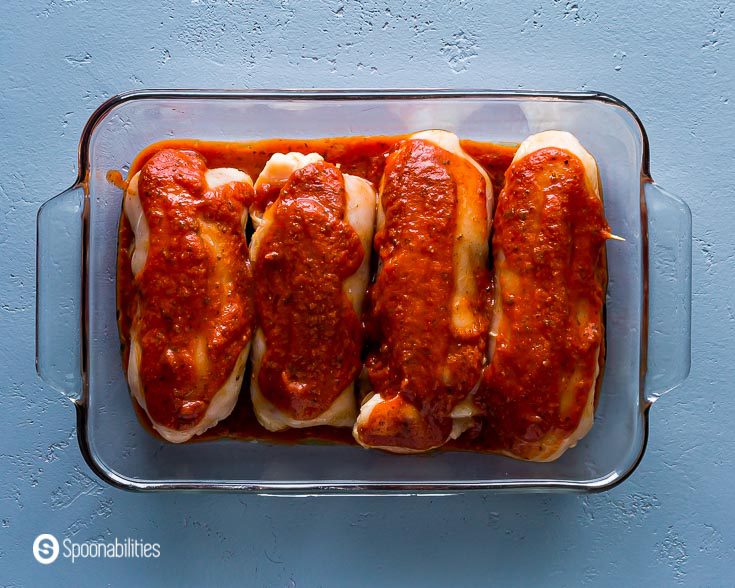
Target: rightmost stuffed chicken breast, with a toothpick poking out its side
{"x": 550, "y": 276}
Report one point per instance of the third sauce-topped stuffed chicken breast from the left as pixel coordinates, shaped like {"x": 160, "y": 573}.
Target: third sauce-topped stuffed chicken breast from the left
{"x": 428, "y": 319}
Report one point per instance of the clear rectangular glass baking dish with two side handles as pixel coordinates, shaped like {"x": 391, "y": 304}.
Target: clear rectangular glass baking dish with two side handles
{"x": 78, "y": 351}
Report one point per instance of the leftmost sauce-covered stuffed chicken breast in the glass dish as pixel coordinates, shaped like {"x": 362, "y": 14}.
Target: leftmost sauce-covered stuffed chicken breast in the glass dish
{"x": 193, "y": 311}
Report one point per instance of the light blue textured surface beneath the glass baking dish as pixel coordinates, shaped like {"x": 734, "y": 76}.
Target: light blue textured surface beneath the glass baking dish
{"x": 672, "y": 521}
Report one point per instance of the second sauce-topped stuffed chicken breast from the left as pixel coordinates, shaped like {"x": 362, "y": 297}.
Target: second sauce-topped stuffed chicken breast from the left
{"x": 311, "y": 258}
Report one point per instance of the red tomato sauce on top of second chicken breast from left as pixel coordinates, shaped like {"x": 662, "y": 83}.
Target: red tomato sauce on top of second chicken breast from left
{"x": 313, "y": 334}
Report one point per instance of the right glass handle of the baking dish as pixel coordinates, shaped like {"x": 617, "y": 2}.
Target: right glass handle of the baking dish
{"x": 669, "y": 291}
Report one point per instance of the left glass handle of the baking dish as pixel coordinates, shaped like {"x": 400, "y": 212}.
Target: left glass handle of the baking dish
{"x": 59, "y": 291}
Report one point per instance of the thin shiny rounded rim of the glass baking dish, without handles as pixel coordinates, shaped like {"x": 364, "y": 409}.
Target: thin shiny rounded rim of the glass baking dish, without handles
{"x": 346, "y": 488}
